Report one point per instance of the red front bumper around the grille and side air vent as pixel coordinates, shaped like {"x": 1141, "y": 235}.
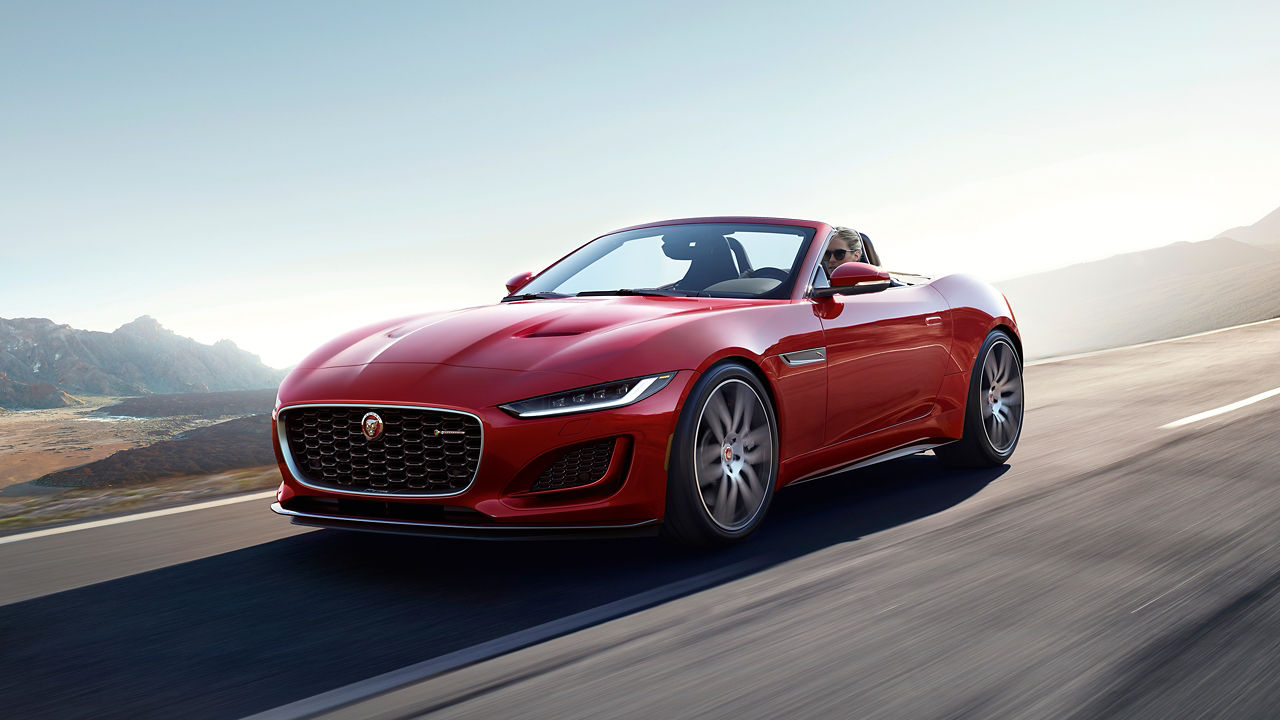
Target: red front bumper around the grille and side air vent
{"x": 499, "y": 503}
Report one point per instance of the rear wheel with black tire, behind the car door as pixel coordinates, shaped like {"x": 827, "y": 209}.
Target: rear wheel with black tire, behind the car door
{"x": 994, "y": 409}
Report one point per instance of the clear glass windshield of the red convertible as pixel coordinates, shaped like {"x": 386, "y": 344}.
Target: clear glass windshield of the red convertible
{"x": 708, "y": 261}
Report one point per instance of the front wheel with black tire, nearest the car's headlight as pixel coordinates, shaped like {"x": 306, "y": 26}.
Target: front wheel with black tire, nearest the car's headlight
{"x": 724, "y": 461}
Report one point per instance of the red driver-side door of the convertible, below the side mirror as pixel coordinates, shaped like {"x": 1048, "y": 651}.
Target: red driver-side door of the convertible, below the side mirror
{"x": 886, "y": 356}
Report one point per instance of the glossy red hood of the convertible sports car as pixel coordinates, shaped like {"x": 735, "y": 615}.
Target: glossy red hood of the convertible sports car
{"x": 538, "y": 335}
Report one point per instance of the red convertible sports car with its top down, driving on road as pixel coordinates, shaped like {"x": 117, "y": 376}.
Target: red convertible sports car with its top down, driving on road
{"x": 666, "y": 377}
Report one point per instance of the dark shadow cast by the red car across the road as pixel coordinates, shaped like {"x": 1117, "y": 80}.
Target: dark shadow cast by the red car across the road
{"x": 257, "y": 628}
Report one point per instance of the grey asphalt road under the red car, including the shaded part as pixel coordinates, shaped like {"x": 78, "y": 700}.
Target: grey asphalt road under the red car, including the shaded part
{"x": 1114, "y": 569}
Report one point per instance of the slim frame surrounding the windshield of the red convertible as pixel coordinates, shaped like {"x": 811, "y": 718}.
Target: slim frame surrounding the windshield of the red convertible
{"x": 807, "y": 231}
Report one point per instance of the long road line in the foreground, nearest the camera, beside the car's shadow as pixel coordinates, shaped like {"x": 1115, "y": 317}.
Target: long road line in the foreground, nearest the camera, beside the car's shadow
{"x": 419, "y": 672}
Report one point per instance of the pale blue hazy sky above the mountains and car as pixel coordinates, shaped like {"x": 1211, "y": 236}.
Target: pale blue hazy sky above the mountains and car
{"x": 276, "y": 174}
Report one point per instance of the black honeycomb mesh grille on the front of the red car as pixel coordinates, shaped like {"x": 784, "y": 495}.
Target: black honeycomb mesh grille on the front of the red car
{"x": 418, "y": 453}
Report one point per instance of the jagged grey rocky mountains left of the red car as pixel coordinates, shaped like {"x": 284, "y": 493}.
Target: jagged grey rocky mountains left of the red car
{"x": 139, "y": 358}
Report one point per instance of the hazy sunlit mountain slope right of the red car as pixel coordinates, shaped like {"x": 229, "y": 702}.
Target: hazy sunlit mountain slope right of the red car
{"x": 1163, "y": 293}
